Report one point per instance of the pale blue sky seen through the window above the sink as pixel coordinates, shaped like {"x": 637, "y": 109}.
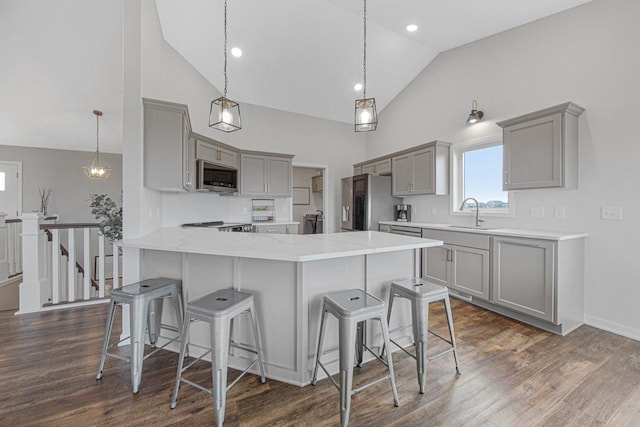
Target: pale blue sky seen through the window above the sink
{"x": 483, "y": 177}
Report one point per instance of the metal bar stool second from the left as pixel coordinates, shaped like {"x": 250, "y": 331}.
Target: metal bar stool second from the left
{"x": 219, "y": 309}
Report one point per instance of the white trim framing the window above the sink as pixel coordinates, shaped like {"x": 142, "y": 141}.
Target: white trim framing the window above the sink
{"x": 457, "y": 180}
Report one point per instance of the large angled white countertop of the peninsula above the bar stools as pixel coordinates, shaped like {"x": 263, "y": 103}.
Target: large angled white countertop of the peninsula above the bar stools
{"x": 279, "y": 247}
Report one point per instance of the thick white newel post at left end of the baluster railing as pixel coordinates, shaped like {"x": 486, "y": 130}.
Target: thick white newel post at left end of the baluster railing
{"x": 33, "y": 279}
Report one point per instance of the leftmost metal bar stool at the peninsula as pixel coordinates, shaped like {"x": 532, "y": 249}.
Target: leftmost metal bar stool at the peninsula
{"x": 145, "y": 302}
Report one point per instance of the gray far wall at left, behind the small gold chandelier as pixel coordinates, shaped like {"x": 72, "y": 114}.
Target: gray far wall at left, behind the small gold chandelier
{"x": 61, "y": 170}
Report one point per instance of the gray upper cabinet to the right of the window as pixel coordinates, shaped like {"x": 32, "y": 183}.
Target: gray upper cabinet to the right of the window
{"x": 541, "y": 149}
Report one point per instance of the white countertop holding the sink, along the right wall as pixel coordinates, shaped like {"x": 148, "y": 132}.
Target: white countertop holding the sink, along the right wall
{"x": 511, "y": 232}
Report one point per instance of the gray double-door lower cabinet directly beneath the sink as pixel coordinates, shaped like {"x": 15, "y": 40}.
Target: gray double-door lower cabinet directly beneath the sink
{"x": 462, "y": 263}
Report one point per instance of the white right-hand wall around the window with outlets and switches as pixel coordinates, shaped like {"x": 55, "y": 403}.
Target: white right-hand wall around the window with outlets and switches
{"x": 588, "y": 55}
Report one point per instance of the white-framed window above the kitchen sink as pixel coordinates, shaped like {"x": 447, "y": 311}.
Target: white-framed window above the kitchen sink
{"x": 479, "y": 175}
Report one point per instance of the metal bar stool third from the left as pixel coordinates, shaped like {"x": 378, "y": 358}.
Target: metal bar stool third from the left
{"x": 352, "y": 308}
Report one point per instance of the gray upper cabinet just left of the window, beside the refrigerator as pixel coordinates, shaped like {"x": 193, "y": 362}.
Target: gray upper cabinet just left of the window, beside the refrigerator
{"x": 421, "y": 170}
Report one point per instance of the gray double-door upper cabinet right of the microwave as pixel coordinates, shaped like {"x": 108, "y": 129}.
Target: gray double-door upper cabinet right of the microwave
{"x": 265, "y": 175}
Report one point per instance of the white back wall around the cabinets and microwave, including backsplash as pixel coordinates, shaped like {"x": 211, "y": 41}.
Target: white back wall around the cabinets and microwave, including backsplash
{"x": 167, "y": 76}
